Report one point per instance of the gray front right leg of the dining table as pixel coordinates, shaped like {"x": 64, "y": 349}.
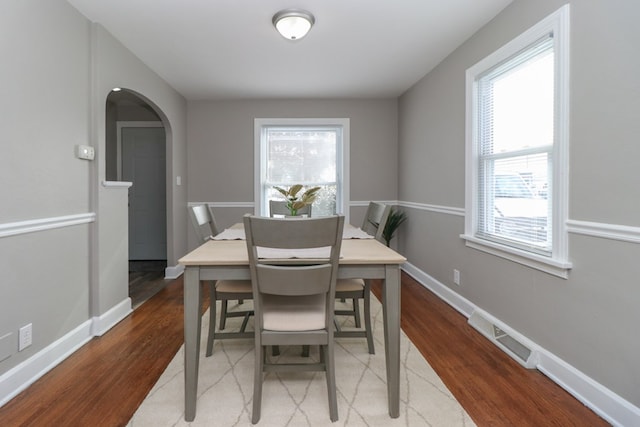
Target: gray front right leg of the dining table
{"x": 391, "y": 315}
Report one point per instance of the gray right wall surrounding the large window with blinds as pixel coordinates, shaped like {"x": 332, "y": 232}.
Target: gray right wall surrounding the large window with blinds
{"x": 590, "y": 320}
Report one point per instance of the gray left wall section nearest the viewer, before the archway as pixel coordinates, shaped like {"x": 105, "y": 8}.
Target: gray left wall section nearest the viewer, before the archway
{"x": 44, "y": 106}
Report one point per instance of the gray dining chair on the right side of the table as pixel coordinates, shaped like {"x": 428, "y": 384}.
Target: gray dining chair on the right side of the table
{"x": 357, "y": 289}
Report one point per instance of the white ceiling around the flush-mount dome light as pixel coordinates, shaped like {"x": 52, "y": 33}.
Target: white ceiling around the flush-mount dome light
{"x": 229, "y": 49}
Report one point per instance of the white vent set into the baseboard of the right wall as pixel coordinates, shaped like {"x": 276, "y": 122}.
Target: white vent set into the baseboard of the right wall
{"x": 510, "y": 342}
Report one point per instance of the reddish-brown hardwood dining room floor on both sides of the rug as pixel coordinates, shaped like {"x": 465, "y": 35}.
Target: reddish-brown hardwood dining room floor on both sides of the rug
{"x": 104, "y": 382}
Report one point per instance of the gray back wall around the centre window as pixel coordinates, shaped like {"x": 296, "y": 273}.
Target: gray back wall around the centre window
{"x": 221, "y": 145}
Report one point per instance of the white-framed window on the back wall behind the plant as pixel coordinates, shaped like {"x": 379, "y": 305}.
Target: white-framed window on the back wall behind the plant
{"x": 311, "y": 152}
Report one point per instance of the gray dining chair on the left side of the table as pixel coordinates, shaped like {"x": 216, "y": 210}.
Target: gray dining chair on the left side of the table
{"x": 205, "y": 226}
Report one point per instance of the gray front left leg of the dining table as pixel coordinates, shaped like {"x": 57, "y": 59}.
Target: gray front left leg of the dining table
{"x": 192, "y": 325}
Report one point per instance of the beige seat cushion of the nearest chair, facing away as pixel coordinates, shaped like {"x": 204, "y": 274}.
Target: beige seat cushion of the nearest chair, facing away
{"x": 304, "y": 313}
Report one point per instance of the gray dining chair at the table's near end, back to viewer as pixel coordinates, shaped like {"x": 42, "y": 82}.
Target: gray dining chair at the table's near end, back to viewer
{"x": 294, "y": 298}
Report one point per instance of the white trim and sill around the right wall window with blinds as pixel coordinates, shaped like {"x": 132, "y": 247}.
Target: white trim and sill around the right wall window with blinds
{"x": 558, "y": 263}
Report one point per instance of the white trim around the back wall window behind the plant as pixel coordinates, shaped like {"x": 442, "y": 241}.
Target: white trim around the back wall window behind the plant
{"x": 342, "y": 168}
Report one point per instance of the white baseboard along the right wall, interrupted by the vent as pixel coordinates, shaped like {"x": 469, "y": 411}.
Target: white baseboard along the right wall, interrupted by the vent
{"x": 608, "y": 405}
